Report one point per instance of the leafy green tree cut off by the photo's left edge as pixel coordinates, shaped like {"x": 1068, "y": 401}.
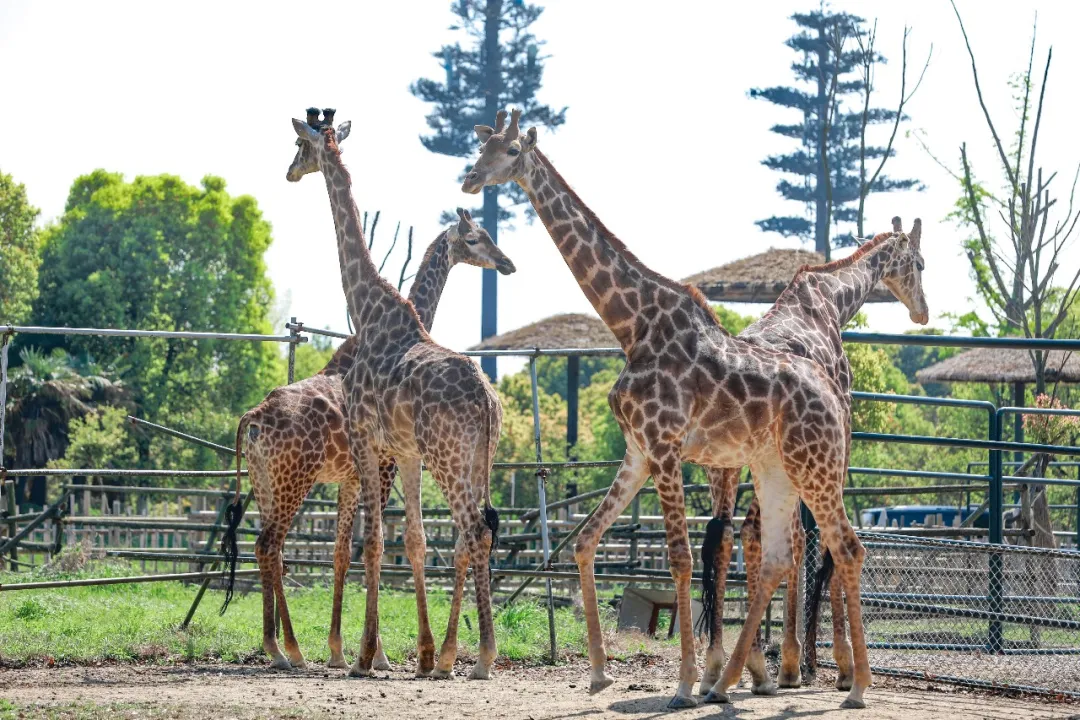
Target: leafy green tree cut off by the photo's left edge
{"x": 19, "y": 252}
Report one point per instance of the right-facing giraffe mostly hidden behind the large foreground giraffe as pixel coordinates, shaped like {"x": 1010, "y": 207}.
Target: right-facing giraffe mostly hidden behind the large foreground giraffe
{"x": 807, "y": 320}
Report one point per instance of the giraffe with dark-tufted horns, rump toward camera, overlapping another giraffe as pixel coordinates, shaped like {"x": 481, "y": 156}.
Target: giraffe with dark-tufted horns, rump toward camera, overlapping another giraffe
{"x": 412, "y": 400}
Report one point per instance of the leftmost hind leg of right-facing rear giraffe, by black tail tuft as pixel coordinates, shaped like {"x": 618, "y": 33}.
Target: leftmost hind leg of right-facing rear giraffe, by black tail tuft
{"x": 724, "y": 484}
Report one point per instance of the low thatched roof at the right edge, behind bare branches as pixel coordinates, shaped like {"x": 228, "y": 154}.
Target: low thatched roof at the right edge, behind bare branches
{"x": 1000, "y": 365}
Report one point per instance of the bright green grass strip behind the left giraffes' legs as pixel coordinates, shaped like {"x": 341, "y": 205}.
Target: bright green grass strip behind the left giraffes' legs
{"x": 140, "y": 622}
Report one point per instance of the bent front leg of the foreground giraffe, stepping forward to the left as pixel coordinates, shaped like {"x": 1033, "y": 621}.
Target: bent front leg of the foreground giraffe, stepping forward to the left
{"x": 630, "y": 479}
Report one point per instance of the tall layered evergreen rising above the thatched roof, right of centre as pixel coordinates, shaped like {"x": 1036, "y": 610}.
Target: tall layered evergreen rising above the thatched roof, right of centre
{"x": 829, "y": 134}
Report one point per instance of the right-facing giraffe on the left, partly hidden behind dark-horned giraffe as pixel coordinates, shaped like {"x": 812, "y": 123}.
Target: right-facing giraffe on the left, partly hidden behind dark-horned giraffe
{"x": 296, "y": 438}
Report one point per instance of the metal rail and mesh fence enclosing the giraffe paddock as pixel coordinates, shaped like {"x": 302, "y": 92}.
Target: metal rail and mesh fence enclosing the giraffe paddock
{"x": 1014, "y": 610}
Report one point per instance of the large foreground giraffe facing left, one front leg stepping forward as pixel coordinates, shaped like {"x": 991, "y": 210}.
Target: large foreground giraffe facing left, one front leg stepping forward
{"x": 691, "y": 392}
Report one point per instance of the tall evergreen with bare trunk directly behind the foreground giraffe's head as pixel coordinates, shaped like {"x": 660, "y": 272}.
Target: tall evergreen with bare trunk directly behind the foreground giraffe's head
{"x": 499, "y": 66}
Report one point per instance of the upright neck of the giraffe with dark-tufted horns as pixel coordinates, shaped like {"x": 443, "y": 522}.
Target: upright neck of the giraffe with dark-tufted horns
{"x": 371, "y": 298}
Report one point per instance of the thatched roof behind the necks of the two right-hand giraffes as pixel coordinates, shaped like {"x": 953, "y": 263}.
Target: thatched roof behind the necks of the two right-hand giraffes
{"x": 763, "y": 278}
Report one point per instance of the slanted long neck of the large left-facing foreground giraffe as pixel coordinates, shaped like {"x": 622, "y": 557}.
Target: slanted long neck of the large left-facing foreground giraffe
{"x": 618, "y": 286}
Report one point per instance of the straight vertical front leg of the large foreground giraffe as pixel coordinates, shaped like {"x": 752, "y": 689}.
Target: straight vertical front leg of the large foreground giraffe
{"x": 666, "y": 465}
